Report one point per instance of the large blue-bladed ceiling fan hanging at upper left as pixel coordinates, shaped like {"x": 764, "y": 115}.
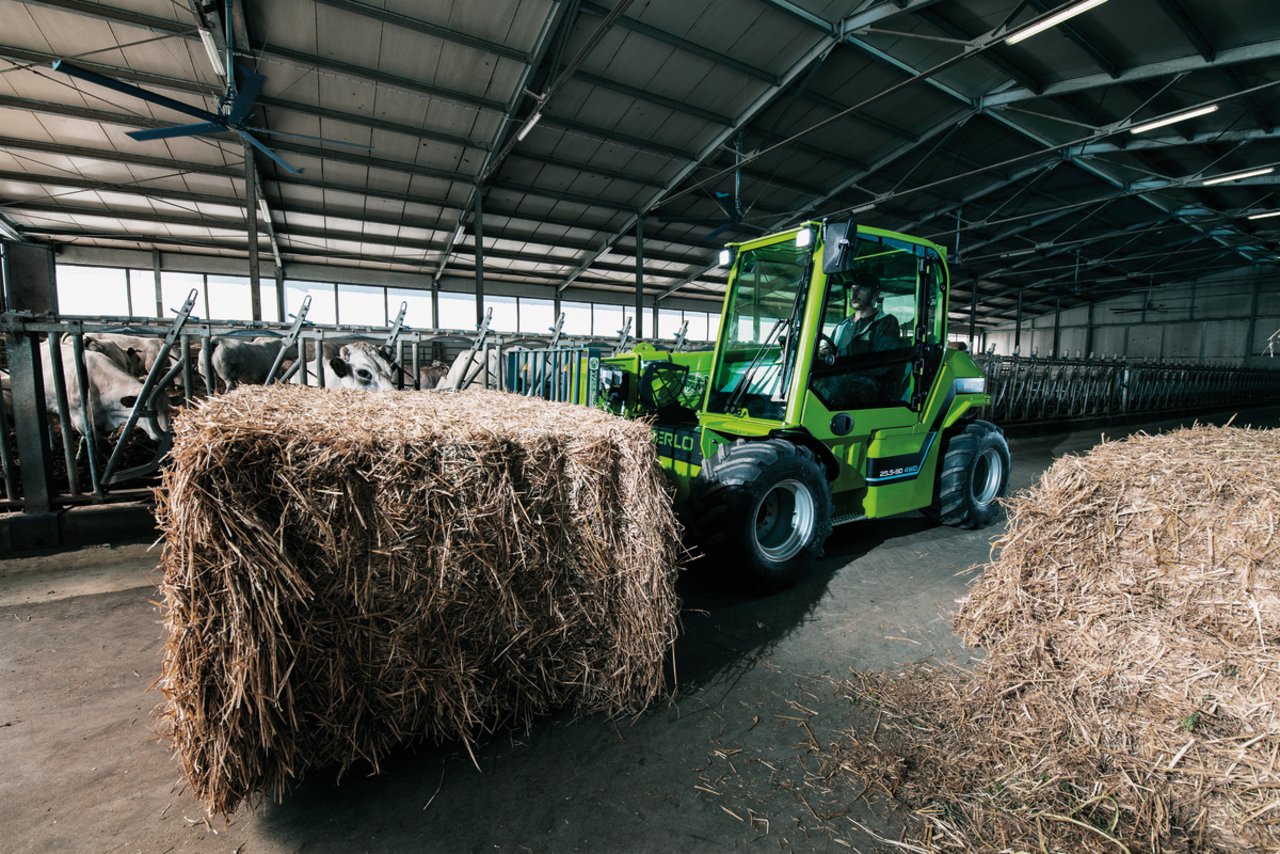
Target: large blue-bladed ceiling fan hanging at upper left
{"x": 234, "y": 109}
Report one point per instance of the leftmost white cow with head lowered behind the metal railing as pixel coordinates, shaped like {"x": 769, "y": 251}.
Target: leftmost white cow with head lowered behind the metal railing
{"x": 112, "y": 395}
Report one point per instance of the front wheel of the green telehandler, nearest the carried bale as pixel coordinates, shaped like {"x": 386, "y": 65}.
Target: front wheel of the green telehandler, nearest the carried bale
{"x": 762, "y": 512}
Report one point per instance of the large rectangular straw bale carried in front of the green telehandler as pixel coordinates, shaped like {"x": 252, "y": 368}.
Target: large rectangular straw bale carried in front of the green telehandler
{"x": 349, "y": 572}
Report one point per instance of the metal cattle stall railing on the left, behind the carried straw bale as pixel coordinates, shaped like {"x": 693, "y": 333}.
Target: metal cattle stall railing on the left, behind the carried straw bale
{"x": 68, "y": 469}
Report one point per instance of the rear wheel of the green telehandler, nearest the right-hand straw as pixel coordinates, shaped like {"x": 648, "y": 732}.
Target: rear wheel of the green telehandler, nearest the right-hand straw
{"x": 975, "y": 477}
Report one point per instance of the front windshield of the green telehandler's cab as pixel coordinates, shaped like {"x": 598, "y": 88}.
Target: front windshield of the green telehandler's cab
{"x": 758, "y": 348}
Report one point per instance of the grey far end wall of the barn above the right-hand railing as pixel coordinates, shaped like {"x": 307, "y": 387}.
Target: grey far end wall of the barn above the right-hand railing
{"x": 1222, "y": 319}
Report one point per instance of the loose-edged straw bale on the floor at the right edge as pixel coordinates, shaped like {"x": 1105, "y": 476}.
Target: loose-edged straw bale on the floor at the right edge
{"x": 1130, "y": 695}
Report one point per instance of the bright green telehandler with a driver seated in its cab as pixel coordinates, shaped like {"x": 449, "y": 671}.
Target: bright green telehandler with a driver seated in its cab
{"x": 830, "y": 398}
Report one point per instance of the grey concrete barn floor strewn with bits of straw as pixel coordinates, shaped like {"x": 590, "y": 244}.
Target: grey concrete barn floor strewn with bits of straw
{"x": 729, "y": 764}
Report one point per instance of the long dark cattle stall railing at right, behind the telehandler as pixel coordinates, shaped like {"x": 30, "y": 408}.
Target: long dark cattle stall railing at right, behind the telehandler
{"x": 1027, "y": 390}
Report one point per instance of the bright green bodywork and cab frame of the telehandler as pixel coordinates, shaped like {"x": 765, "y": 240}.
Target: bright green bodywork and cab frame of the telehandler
{"x": 884, "y": 462}
